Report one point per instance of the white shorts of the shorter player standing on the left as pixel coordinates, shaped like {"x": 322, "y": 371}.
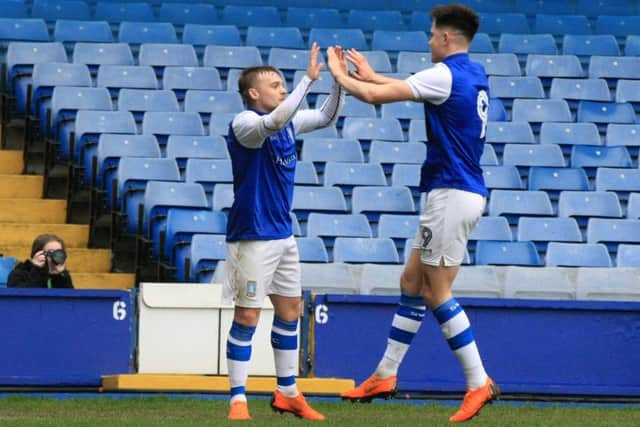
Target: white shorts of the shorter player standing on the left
{"x": 257, "y": 268}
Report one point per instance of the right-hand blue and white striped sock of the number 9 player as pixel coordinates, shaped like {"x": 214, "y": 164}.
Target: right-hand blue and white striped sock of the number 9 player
{"x": 455, "y": 327}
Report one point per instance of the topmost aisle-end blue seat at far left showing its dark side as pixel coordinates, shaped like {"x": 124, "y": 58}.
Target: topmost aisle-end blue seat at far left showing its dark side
{"x": 21, "y": 57}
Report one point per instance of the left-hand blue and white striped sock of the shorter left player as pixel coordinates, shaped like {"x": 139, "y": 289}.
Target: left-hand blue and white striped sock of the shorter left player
{"x": 238, "y": 356}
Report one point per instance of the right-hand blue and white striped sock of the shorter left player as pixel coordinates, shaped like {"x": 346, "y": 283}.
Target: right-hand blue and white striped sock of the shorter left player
{"x": 284, "y": 340}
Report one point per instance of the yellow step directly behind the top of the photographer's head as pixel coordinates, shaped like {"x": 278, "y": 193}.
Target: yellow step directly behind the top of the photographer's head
{"x": 74, "y": 235}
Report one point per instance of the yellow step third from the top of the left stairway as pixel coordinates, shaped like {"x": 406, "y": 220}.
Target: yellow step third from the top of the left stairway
{"x": 43, "y": 211}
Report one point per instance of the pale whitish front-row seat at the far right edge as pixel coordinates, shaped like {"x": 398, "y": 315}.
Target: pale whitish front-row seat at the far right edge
{"x": 619, "y": 284}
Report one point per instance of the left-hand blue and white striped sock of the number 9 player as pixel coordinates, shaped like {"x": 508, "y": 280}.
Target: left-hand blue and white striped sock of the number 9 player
{"x": 405, "y": 325}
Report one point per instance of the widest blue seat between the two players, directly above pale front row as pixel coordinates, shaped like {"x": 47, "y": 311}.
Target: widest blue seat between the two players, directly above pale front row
{"x": 365, "y": 250}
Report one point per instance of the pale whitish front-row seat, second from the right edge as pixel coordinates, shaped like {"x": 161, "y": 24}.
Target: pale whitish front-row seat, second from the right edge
{"x": 541, "y": 283}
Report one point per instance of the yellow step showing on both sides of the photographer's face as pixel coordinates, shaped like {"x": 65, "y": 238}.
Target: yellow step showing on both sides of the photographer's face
{"x": 79, "y": 260}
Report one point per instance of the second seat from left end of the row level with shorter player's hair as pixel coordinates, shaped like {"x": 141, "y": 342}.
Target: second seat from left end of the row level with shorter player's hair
{"x": 116, "y": 77}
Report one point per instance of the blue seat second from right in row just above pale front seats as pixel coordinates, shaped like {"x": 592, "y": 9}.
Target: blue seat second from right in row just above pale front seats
{"x": 577, "y": 255}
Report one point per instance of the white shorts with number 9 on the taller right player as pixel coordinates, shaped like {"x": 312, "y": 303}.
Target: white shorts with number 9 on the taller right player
{"x": 446, "y": 220}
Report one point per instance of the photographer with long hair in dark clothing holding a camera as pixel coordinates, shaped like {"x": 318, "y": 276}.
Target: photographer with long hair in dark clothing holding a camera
{"x": 46, "y": 268}
